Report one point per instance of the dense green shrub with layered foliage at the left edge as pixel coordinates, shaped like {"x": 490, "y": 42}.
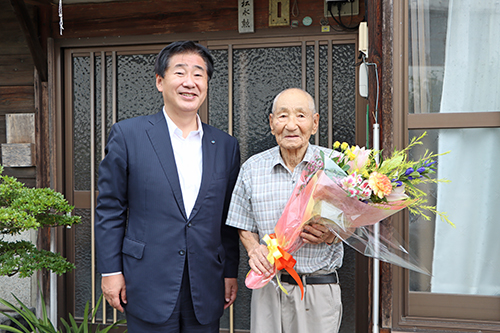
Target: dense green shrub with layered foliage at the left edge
{"x": 21, "y": 209}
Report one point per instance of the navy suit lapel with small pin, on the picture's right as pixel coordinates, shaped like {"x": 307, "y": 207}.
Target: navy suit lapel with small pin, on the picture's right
{"x": 208, "y": 146}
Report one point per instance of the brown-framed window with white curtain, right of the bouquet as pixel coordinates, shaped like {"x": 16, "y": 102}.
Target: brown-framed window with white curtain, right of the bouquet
{"x": 452, "y": 93}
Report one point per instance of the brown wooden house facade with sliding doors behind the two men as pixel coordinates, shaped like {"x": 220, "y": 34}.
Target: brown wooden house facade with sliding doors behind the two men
{"x": 81, "y": 69}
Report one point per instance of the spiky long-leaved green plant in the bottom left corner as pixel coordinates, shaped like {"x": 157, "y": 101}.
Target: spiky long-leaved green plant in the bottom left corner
{"x": 44, "y": 325}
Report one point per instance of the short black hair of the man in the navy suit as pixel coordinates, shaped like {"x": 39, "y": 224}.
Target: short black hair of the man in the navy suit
{"x": 180, "y": 47}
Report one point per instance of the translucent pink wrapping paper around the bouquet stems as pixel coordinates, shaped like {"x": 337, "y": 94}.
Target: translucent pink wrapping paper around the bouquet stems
{"x": 321, "y": 200}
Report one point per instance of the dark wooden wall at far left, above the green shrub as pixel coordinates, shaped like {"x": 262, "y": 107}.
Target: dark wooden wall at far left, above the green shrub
{"x": 16, "y": 79}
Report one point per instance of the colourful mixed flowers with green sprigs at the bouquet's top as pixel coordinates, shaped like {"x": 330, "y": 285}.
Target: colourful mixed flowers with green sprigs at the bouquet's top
{"x": 372, "y": 178}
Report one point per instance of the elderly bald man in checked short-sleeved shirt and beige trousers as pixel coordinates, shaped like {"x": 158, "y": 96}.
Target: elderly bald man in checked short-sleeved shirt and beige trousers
{"x": 263, "y": 188}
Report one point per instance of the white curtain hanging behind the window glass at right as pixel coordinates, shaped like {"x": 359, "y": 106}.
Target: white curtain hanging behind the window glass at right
{"x": 467, "y": 258}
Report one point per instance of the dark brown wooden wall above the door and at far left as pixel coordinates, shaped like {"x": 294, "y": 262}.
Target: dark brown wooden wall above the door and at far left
{"x": 123, "y": 18}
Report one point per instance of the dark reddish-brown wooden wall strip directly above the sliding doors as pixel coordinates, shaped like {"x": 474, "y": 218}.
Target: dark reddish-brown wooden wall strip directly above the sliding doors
{"x": 174, "y": 16}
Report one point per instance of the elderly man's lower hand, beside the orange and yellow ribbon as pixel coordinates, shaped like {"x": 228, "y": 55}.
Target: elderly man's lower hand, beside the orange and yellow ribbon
{"x": 257, "y": 253}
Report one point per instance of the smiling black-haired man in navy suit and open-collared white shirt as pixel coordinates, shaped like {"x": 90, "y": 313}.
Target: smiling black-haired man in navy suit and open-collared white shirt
{"x": 166, "y": 256}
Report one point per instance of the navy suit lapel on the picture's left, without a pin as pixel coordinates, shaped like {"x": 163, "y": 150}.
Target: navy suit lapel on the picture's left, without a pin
{"x": 160, "y": 139}
